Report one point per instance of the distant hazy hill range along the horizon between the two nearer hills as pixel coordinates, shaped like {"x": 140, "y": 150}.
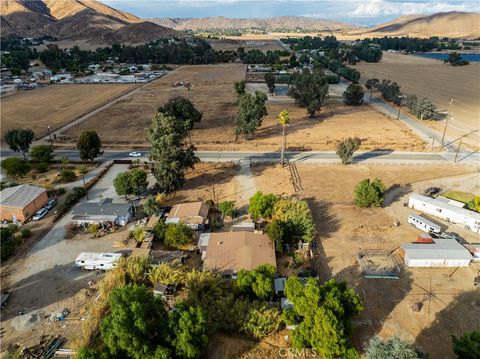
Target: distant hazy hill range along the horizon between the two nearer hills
{"x": 274, "y": 23}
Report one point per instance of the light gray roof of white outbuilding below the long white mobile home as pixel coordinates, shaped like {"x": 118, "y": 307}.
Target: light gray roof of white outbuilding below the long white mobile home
{"x": 440, "y": 249}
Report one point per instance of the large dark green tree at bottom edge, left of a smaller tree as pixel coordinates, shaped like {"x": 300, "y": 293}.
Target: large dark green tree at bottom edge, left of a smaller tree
{"x": 135, "y": 324}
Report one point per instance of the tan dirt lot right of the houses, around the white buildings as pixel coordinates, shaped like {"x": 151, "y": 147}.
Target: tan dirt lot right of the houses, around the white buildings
{"x": 344, "y": 230}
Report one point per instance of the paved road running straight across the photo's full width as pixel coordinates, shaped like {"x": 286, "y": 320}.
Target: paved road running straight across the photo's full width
{"x": 378, "y": 157}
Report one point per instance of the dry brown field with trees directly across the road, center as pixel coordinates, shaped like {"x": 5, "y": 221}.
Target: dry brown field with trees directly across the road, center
{"x": 124, "y": 123}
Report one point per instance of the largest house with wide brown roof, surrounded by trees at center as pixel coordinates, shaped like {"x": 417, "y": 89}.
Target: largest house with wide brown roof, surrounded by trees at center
{"x": 229, "y": 252}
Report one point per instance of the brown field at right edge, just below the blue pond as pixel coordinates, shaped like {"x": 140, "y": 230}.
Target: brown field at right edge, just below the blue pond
{"x": 440, "y": 83}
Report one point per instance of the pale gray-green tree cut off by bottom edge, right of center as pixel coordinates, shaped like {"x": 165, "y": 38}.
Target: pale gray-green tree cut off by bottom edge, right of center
{"x": 391, "y": 348}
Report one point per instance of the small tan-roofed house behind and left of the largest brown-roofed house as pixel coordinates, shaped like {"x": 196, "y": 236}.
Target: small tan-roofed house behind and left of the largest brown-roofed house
{"x": 193, "y": 214}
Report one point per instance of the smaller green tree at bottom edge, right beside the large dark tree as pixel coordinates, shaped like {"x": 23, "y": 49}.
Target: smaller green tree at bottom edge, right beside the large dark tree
{"x": 188, "y": 328}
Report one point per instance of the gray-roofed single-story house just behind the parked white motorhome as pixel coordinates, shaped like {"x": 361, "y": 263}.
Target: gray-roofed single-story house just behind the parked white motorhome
{"x": 103, "y": 212}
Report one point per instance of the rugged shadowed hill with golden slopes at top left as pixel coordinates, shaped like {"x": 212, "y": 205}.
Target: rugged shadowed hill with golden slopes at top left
{"x": 86, "y": 20}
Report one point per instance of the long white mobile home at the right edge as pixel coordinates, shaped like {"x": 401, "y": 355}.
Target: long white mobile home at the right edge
{"x": 447, "y": 210}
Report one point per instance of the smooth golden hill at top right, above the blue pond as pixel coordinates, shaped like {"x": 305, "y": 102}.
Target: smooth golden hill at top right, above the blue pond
{"x": 449, "y": 24}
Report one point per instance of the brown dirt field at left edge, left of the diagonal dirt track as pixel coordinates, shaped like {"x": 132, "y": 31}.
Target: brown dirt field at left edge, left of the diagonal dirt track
{"x": 55, "y": 105}
